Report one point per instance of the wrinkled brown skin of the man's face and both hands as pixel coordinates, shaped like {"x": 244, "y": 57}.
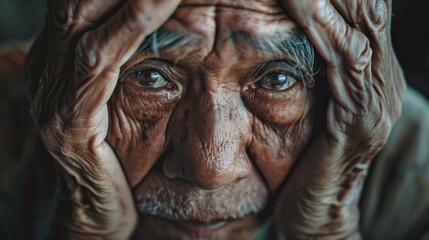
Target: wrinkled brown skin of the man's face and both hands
{"x": 212, "y": 146}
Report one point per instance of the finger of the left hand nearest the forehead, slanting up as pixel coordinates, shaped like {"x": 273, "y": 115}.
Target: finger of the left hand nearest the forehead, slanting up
{"x": 110, "y": 45}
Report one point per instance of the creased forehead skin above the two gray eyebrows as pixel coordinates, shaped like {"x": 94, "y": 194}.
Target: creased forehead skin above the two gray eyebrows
{"x": 212, "y": 18}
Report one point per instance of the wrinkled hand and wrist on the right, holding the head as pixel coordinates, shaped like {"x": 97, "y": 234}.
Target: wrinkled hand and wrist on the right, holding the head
{"x": 320, "y": 200}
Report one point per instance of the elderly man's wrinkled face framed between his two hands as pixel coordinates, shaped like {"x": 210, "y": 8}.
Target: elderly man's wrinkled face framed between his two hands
{"x": 209, "y": 116}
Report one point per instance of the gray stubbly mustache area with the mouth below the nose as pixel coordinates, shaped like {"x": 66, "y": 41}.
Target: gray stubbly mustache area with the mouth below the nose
{"x": 171, "y": 209}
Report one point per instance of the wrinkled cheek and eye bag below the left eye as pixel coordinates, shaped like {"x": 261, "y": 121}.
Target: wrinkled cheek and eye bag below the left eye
{"x": 138, "y": 122}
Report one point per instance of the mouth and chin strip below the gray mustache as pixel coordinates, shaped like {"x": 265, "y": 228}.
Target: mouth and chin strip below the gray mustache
{"x": 248, "y": 227}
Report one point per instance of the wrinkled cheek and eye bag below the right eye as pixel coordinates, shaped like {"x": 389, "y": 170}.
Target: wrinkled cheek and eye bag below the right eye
{"x": 280, "y": 135}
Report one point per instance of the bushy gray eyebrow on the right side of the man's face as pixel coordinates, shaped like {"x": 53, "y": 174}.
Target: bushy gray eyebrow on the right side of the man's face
{"x": 294, "y": 46}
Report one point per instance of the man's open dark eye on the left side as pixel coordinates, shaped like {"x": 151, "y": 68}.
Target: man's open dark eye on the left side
{"x": 150, "y": 79}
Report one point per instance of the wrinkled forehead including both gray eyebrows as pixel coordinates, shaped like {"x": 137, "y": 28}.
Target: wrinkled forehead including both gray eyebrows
{"x": 219, "y": 34}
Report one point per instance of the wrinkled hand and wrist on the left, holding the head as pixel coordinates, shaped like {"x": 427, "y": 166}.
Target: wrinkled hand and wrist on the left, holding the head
{"x": 72, "y": 71}
